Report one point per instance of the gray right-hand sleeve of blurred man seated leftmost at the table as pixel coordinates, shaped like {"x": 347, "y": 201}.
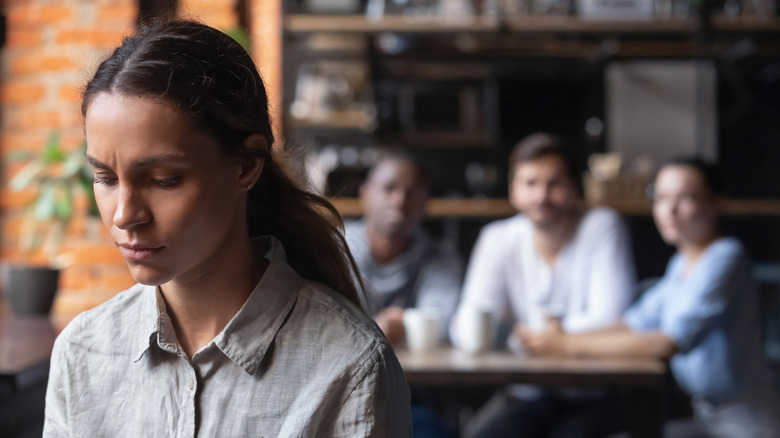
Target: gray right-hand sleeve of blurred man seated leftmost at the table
{"x": 439, "y": 288}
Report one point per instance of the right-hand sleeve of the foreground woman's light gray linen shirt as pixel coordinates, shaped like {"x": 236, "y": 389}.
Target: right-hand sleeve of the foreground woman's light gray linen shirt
{"x": 379, "y": 405}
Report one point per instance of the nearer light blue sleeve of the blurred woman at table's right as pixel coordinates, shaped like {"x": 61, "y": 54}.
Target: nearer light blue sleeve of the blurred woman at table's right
{"x": 706, "y": 295}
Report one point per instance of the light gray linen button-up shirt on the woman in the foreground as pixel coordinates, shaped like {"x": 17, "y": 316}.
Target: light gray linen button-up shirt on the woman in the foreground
{"x": 297, "y": 360}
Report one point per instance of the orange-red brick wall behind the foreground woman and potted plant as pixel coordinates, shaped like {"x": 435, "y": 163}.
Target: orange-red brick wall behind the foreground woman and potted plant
{"x": 52, "y": 48}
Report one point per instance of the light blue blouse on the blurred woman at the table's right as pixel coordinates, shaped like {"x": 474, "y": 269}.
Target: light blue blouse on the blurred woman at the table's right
{"x": 711, "y": 314}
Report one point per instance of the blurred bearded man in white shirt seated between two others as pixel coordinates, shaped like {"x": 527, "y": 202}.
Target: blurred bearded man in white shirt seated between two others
{"x": 555, "y": 266}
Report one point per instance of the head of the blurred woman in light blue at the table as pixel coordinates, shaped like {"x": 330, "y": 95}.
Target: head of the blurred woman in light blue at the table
{"x": 684, "y": 209}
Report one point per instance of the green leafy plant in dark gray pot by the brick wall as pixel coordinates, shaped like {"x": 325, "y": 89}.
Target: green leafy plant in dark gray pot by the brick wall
{"x": 57, "y": 175}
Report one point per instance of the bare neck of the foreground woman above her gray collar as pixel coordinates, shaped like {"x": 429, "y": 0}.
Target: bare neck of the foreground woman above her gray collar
{"x": 201, "y": 307}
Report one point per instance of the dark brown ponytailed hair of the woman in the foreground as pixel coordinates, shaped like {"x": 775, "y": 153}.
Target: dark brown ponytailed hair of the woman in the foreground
{"x": 211, "y": 78}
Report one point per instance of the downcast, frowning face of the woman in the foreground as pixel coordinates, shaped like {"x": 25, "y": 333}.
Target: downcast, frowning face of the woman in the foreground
{"x": 170, "y": 198}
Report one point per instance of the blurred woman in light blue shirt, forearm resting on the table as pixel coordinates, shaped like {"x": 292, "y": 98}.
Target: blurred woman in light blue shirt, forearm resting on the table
{"x": 702, "y": 315}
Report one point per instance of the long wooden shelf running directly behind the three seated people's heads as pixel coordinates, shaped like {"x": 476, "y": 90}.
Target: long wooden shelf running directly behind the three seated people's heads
{"x": 497, "y": 208}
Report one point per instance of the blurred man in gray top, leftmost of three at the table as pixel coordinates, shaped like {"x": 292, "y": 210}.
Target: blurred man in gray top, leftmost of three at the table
{"x": 401, "y": 264}
